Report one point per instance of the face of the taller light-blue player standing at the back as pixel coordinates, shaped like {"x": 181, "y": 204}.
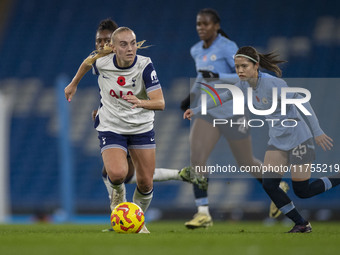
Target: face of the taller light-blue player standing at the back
{"x": 206, "y": 28}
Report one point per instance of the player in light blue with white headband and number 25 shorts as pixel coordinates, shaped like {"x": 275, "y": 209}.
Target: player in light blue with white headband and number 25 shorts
{"x": 287, "y": 146}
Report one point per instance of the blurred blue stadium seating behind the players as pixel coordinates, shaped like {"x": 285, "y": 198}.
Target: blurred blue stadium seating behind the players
{"x": 43, "y": 41}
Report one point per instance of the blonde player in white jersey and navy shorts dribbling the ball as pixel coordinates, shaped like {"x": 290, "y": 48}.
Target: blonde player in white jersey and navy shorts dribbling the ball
{"x": 130, "y": 92}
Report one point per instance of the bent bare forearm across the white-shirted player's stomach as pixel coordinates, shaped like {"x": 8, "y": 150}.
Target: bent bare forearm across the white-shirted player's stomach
{"x": 155, "y": 101}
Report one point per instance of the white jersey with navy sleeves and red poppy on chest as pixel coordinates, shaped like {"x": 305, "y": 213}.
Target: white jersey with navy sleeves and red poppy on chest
{"x": 114, "y": 113}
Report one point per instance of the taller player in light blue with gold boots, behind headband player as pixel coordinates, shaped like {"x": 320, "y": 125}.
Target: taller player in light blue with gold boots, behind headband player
{"x": 213, "y": 57}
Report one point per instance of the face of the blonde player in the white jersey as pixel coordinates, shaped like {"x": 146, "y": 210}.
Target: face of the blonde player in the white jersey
{"x": 125, "y": 47}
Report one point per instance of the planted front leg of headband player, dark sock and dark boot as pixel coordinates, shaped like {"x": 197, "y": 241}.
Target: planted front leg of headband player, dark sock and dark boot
{"x": 271, "y": 184}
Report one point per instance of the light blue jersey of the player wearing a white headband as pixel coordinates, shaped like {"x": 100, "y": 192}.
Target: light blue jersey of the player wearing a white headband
{"x": 284, "y": 137}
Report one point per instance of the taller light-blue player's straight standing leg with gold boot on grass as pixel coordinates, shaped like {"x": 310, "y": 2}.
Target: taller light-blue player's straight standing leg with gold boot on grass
{"x": 203, "y": 138}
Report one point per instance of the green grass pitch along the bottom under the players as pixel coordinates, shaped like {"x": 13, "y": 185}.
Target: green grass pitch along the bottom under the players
{"x": 169, "y": 237}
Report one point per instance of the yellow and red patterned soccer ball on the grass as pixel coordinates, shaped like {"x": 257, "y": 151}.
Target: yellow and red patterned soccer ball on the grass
{"x": 127, "y": 218}
